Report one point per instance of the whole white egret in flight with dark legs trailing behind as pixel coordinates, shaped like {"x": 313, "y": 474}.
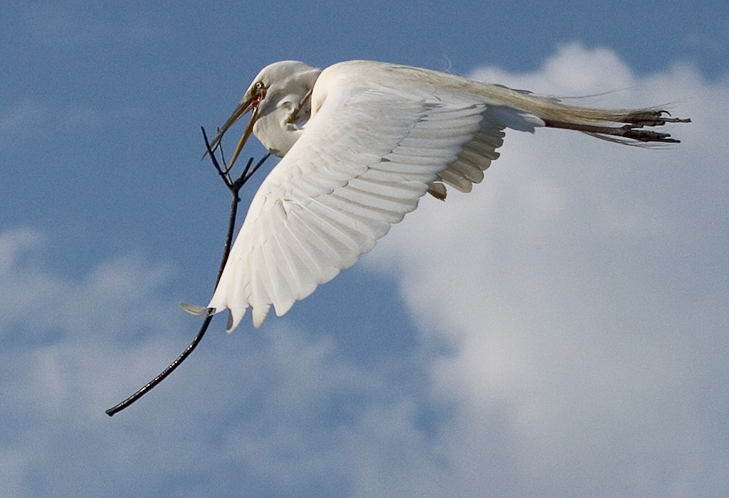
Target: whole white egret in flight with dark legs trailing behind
{"x": 360, "y": 143}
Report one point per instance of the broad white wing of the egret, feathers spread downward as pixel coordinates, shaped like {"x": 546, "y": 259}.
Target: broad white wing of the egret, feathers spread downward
{"x": 366, "y": 157}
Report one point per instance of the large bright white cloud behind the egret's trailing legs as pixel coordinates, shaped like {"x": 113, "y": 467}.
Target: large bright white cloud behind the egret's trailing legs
{"x": 584, "y": 286}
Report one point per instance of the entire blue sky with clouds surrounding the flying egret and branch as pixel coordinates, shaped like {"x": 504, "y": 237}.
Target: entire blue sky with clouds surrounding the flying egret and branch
{"x": 562, "y": 331}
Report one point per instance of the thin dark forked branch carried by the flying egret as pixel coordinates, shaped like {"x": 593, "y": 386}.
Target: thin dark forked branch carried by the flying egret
{"x": 234, "y": 187}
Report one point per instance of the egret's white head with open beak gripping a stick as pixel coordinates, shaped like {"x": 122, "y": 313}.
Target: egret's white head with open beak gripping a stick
{"x": 280, "y": 88}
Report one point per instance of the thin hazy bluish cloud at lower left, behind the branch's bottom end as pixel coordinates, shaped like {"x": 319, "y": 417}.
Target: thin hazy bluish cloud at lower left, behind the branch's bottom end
{"x": 289, "y": 413}
